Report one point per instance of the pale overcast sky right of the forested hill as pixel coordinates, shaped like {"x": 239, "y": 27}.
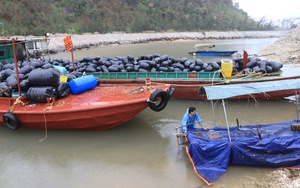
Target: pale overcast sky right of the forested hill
{"x": 270, "y": 9}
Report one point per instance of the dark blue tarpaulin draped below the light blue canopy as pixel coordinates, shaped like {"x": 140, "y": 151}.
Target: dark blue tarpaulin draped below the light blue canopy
{"x": 211, "y": 151}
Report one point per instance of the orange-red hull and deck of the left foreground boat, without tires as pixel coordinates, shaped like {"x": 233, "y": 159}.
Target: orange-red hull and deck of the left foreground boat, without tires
{"x": 102, "y": 108}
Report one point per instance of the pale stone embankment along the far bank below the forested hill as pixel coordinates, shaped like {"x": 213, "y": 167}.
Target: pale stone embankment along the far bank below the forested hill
{"x": 100, "y": 40}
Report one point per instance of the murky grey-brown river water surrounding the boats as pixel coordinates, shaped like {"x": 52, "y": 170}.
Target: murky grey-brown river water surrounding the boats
{"x": 140, "y": 153}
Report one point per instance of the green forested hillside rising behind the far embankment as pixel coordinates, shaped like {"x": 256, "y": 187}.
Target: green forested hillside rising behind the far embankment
{"x": 35, "y": 17}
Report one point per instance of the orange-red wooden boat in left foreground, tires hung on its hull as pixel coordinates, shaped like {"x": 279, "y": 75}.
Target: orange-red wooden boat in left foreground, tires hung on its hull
{"x": 100, "y": 107}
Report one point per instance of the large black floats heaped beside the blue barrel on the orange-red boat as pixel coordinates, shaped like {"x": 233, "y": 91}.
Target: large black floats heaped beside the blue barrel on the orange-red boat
{"x": 40, "y": 85}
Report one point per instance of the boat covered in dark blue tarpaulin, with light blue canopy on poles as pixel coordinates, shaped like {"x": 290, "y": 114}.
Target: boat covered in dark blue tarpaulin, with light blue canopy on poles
{"x": 262, "y": 145}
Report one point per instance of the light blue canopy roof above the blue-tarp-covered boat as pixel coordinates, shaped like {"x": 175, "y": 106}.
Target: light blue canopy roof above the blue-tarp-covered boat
{"x": 218, "y": 92}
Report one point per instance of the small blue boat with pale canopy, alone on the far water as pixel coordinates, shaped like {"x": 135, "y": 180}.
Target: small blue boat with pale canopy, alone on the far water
{"x": 208, "y": 50}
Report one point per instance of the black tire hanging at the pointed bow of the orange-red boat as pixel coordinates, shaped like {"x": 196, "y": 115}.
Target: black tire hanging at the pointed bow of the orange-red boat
{"x": 161, "y": 97}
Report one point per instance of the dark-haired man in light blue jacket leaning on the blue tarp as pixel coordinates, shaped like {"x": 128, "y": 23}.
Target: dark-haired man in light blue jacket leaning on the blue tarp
{"x": 189, "y": 120}
